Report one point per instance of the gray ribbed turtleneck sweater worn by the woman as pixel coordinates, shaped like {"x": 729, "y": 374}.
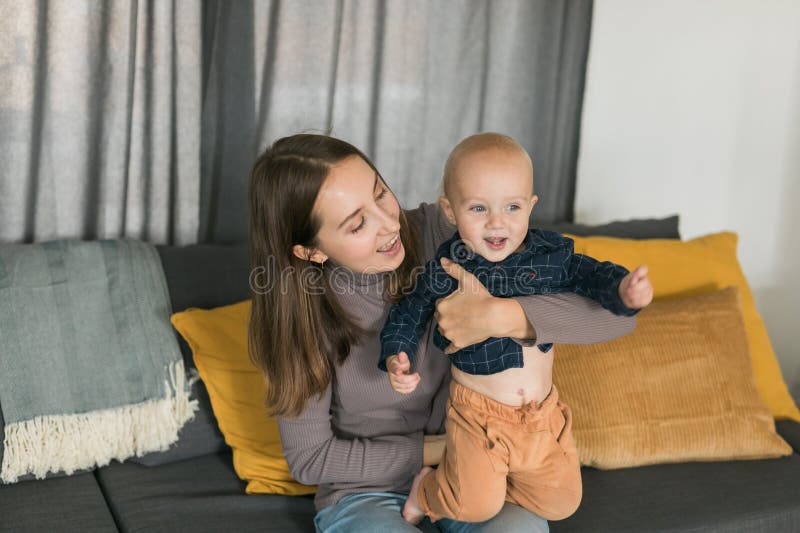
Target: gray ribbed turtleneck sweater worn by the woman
{"x": 361, "y": 436}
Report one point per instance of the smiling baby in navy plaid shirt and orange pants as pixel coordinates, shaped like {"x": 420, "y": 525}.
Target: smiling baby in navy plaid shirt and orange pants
{"x": 508, "y": 438}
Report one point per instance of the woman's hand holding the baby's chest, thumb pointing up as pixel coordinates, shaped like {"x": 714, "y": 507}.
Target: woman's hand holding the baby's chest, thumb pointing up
{"x": 470, "y": 314}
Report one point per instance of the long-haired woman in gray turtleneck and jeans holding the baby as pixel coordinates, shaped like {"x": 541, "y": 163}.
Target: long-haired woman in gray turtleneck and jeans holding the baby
{"x": 339, "y": 250}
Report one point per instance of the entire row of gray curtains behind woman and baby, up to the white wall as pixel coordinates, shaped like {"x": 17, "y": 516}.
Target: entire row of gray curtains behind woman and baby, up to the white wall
{"x": 142, "y": 118}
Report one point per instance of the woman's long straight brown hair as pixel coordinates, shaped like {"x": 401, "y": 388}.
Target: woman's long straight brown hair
{"x": 297, "y": 326}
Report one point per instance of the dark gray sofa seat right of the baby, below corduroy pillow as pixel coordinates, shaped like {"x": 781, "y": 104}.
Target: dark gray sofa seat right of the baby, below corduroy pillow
{"x": 729, "y": 497}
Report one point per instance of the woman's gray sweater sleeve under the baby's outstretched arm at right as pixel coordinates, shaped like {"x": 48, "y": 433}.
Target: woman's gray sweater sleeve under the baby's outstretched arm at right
{"x": 568, "y": 318}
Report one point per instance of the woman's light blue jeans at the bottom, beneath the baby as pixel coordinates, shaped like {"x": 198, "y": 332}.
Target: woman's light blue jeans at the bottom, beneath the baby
{"x": 380, "y": 511}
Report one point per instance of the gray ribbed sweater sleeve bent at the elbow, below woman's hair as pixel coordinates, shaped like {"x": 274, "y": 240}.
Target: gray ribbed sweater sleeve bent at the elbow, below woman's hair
{"x": 315, "y": 455}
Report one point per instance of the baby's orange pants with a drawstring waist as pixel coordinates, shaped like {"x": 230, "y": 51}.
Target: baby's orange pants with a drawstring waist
{"x": 497, "y": 453}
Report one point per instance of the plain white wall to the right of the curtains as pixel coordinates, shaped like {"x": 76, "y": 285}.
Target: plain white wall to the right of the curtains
{"x": 693, "y": 107}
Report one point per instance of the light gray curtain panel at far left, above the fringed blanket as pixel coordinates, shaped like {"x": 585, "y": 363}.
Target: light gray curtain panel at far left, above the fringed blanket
{"x": 100, "y": 107}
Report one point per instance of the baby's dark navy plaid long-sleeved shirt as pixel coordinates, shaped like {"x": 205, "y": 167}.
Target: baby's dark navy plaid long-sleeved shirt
{"x": 546, "y": 265}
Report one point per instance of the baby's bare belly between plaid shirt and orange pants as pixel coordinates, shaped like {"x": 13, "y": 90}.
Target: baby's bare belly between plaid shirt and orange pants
{"x": 515, "y": 386}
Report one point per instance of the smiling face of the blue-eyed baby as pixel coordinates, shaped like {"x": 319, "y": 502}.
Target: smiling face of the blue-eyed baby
{"x": 490, "y": 201}
